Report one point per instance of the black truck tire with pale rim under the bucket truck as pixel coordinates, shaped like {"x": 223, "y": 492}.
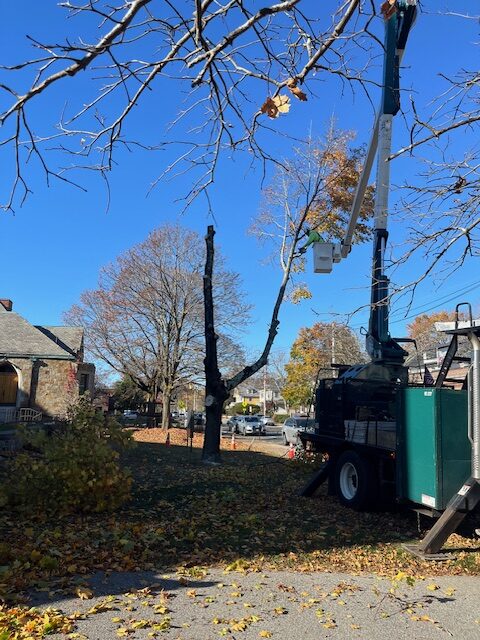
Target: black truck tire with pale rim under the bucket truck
{"x": 355, "y": 482}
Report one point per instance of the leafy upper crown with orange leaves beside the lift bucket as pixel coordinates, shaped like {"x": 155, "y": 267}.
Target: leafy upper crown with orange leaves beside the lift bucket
{"x": 325, "y": 174}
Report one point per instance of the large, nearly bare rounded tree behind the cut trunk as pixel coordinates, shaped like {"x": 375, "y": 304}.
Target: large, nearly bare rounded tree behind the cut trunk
{"x": 145, "y": 320}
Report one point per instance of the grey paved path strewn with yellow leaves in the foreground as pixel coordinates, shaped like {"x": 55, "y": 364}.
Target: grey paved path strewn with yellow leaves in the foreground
{"x": 279, "y": 605}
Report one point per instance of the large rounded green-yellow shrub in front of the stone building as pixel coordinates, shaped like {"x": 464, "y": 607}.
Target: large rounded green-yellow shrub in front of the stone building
{"x": 73, "y": 468}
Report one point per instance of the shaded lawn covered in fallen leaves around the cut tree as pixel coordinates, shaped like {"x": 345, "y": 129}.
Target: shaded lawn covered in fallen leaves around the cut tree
{"x": 244, "y": 515}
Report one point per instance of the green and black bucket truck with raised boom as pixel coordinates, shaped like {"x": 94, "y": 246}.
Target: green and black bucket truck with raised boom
{"x": 385, "y": 439}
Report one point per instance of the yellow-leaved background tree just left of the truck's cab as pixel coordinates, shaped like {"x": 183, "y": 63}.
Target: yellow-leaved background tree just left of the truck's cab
{"x": 311, "y": 359}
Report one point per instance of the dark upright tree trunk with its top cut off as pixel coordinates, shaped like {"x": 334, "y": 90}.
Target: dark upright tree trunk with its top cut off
{"x": 215, "y": 390}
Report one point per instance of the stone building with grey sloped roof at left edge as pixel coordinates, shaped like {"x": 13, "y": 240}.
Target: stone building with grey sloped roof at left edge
{"x": 41, "y": 367}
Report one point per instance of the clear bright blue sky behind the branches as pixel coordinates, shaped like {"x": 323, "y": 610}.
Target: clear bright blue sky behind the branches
{"x": 54, "y": 246}
